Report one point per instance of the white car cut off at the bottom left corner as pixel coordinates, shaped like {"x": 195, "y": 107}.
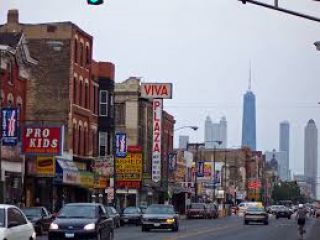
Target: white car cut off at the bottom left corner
{"x": 14, "y": 225}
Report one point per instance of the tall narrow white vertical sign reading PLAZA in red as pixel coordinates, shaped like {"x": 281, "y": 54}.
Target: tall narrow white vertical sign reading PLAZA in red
{"x": 156, "y": 147}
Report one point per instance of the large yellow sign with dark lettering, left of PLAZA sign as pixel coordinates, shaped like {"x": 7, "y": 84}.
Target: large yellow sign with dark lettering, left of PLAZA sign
{"x": 130, "y": 167}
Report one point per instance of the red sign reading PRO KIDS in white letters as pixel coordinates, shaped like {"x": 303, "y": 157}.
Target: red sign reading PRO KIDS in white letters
{"x": 42, "y": 140}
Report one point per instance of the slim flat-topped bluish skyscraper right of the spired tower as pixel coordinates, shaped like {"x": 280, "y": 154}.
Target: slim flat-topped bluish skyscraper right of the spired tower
{"x": 284, "y": 137}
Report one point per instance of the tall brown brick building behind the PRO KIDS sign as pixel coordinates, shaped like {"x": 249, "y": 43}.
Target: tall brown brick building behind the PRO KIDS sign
{"x": 62, "y": 92}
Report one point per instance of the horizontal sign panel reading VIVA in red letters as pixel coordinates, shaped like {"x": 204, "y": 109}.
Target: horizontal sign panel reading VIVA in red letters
{"x": 156, "y": 90}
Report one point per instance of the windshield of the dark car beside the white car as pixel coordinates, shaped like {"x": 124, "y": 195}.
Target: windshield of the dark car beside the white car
{"x": 77, "y": 211}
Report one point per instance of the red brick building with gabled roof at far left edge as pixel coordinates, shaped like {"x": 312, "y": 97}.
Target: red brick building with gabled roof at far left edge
{"x": 15, "y": 64}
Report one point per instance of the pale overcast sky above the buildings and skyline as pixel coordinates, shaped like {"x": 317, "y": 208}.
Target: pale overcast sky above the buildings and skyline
{"x": 204, "y": 47}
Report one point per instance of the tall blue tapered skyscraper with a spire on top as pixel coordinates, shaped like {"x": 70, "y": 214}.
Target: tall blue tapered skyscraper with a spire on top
{"x": 249, "y": 119}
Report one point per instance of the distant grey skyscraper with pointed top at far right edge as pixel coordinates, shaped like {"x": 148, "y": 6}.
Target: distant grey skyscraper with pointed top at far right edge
{"x": 311, "y": 155}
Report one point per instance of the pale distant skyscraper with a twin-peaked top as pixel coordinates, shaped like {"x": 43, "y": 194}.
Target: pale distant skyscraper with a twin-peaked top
{"x": 215, "y": 132}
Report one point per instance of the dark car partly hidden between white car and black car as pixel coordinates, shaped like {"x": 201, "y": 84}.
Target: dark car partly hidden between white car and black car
{"x": 39, "y": 217}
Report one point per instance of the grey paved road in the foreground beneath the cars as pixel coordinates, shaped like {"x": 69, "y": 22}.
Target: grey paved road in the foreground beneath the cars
{"x": 230, "y": 228}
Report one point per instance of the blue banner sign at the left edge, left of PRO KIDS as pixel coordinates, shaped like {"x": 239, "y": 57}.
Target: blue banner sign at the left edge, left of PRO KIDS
{"x": 9, "y": 126}
